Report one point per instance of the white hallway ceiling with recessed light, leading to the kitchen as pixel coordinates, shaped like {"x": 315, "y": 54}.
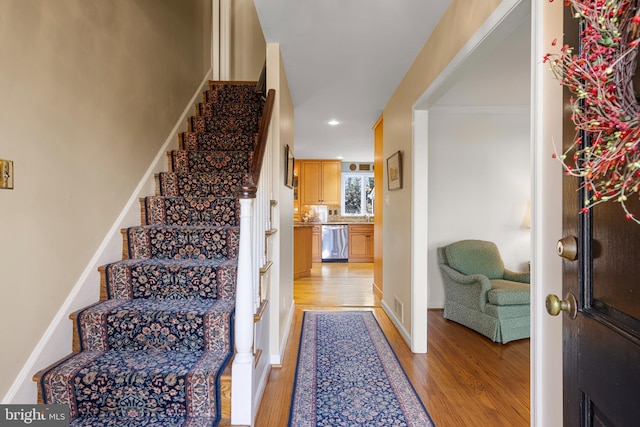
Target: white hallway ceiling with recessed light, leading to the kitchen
{"x": 344, "y": 59}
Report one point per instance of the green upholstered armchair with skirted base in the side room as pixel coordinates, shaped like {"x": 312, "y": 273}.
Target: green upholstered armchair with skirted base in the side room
{"x": 481, "y": 294}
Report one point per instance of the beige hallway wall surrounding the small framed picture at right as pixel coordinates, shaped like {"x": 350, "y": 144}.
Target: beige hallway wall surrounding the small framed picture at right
{"x": 461, "y": 20}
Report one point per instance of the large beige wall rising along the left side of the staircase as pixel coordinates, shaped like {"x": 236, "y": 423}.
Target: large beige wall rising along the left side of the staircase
{"x": 90, "y": 91}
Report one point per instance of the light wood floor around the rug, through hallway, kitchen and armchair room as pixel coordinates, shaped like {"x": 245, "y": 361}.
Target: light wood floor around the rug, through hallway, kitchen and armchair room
{"x": 463, "y": 380}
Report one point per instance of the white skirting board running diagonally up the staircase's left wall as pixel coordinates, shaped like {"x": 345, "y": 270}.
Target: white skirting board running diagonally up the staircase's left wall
{"x": 56, "y": 341}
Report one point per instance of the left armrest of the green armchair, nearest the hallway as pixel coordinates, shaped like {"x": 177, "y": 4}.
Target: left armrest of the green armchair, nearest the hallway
{"x": 467, "y": 289}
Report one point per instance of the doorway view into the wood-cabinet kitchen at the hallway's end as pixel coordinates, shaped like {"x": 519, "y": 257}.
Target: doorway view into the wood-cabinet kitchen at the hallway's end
{"x": 341, "y": 270}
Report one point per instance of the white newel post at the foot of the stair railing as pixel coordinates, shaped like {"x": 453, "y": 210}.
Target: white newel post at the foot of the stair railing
{"x": 242, "y": 368}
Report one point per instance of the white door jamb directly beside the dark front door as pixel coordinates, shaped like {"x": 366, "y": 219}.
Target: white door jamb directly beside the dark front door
{"x": 546, "y": 270}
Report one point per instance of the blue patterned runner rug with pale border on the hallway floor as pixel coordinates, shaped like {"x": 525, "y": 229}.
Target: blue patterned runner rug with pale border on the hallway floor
{"x": 348, "y": 375}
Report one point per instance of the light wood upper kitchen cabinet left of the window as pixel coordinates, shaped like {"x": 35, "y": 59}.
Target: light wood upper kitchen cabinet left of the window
{"x": 319, "y": 182}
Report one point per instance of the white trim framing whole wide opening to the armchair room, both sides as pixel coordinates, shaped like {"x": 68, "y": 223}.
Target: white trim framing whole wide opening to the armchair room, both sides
{"x": 546, "y": 194}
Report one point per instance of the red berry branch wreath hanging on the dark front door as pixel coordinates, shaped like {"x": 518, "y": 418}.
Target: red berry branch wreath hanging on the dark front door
{"x": 604, "y": 107}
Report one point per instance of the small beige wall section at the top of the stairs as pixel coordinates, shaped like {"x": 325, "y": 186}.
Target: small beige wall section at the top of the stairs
{"x": 248, "y": 47}
